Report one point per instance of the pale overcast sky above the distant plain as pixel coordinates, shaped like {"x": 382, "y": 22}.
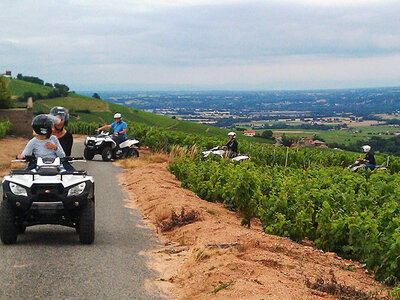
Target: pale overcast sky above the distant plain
{"x": 203, "y": 44}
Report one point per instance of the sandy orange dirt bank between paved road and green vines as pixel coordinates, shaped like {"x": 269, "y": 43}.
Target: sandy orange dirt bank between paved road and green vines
{"x": 209, "y": 255}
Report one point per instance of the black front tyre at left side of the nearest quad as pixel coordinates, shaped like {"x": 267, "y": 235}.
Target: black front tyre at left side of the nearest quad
{"x": 8, "y": 230}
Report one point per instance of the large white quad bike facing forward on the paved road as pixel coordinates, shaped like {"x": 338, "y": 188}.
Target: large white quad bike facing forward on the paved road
{"x": 47, "y": 194}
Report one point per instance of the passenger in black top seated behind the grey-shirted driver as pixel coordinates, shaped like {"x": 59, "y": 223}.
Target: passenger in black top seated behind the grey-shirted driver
{"x": 61, "y": 118}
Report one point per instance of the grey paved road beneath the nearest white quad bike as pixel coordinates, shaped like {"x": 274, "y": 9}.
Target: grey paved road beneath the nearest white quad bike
{"x": 48, "y": 262}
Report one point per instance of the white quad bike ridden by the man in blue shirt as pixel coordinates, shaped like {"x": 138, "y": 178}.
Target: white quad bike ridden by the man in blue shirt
{"x": 104, "y": 145}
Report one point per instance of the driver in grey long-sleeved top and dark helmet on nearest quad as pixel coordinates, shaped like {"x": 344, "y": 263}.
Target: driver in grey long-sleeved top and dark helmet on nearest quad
{"x": 44, "y": 145}
